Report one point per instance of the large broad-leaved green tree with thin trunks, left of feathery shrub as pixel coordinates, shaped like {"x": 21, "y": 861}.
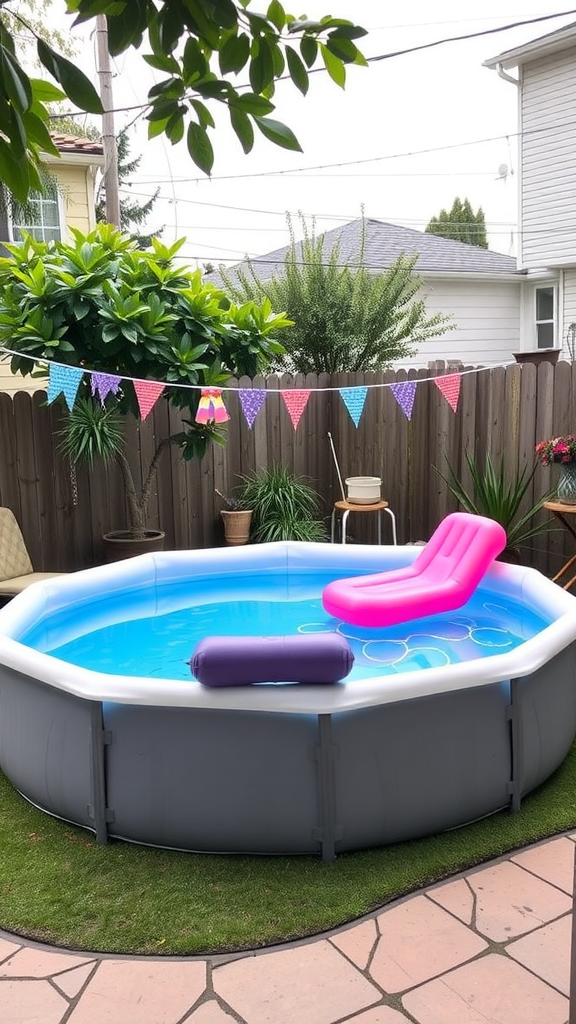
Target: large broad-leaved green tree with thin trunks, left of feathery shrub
{"x": 102, "y": 305}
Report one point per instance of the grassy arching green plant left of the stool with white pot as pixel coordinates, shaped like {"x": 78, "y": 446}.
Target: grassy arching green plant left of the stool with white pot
{"x": 284, "y": 507}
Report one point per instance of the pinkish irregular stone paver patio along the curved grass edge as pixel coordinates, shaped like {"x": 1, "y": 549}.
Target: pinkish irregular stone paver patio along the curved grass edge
{"x": 491, "y": 947}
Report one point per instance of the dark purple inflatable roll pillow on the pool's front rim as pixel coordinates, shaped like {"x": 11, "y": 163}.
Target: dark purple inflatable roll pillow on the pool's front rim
{"x": 311, "y": 658}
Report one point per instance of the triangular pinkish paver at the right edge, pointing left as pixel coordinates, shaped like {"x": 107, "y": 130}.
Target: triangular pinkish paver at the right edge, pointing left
{"x": 547, "y": 953}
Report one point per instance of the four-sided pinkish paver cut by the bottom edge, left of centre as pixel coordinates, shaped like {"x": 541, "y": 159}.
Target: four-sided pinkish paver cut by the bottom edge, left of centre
{"x": 141, "y": 993}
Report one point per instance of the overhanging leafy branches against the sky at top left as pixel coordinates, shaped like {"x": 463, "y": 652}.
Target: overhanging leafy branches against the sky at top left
{"x": 198, "y": 46}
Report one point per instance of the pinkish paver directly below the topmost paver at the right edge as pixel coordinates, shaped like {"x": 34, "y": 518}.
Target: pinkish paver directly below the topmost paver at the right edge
{"x": 512, "y": 903}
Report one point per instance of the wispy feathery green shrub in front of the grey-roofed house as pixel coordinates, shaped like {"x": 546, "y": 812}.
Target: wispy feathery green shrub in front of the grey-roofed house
{"x": 346, "y": 318}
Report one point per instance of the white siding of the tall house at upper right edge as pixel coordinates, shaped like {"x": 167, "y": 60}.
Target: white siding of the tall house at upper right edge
{"x": 549, "y": 159}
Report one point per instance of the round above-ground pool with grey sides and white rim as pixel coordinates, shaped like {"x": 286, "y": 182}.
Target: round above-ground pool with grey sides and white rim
{"x": 442, "y": 720}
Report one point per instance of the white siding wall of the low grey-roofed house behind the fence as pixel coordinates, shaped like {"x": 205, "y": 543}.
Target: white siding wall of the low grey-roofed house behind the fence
{"x": 486, "y": 315}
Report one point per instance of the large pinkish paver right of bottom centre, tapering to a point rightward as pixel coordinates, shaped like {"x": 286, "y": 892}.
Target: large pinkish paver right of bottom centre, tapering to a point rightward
{"x": 418, "y": 942}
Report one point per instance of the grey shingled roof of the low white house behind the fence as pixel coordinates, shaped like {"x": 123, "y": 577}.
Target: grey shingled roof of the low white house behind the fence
{"x": 385, "y": 243}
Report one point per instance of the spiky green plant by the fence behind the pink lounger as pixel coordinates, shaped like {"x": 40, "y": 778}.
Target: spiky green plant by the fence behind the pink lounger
{"x": 499, "y": 498}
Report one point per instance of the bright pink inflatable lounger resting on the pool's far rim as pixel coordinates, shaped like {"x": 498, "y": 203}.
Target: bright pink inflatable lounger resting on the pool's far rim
{"x": 444, "y": 577}
